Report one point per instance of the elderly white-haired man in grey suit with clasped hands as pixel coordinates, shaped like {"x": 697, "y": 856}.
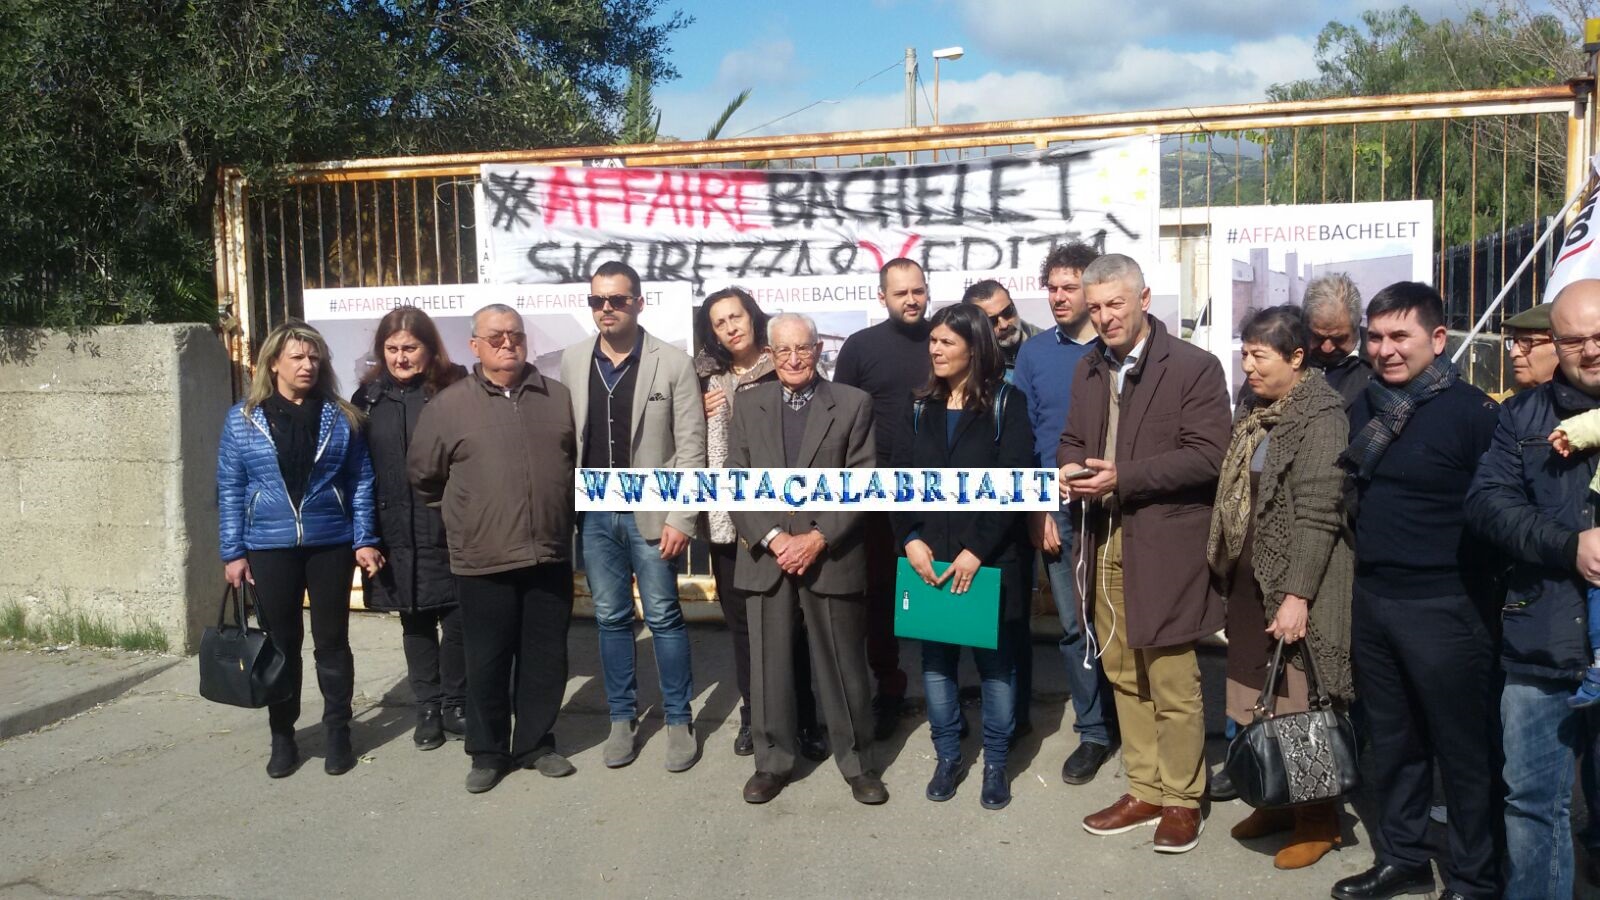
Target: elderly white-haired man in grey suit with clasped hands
{"x": 806, "y": 563}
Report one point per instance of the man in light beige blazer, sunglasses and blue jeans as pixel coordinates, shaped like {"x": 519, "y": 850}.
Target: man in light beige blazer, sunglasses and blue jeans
{"x": 636, "y": 404}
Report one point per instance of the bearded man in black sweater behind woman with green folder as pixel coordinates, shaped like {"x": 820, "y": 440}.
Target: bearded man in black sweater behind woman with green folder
{"x": 889, "y": 361}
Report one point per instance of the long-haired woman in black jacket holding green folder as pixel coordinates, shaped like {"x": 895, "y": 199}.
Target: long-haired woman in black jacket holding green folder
{"x": 967, "y": 417}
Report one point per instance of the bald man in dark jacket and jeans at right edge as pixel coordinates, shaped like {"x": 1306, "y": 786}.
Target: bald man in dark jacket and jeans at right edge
{"x": 1535, "y": 505}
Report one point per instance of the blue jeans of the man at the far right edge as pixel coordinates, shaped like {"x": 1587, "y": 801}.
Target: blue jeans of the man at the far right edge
{"x": 1543, "y": 741}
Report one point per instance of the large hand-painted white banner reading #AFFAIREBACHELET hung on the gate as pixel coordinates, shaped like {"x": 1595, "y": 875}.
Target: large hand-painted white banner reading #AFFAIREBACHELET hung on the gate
{"x": 812, "y": 241}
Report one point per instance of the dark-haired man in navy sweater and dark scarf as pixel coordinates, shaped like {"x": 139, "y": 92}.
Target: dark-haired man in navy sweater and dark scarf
{"x": 1423, "y": 621}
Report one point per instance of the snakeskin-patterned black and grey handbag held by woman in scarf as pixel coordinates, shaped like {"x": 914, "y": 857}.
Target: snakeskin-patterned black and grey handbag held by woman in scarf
{"x": 1297, "y": 758}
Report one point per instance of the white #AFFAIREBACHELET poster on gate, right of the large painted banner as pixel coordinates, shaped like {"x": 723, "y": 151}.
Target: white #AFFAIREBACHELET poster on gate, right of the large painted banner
{"x": 1266, "y": 257}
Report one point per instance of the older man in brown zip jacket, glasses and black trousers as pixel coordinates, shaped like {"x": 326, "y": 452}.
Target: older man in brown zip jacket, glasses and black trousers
{"x": 497, "y": 452}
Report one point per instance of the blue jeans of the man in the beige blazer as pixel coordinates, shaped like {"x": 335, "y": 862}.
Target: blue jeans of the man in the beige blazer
{"x": 615, "y": 553}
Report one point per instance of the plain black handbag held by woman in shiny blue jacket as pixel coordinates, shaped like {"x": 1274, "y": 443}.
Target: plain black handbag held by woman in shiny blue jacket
{"x": 241, "y": 665}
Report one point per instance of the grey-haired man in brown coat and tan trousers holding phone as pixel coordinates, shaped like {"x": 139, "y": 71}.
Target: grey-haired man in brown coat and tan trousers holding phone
{"x": 1150, "y": 420}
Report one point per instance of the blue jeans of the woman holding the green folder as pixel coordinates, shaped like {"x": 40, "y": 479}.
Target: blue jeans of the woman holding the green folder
{"x": 998, "y": 675}
